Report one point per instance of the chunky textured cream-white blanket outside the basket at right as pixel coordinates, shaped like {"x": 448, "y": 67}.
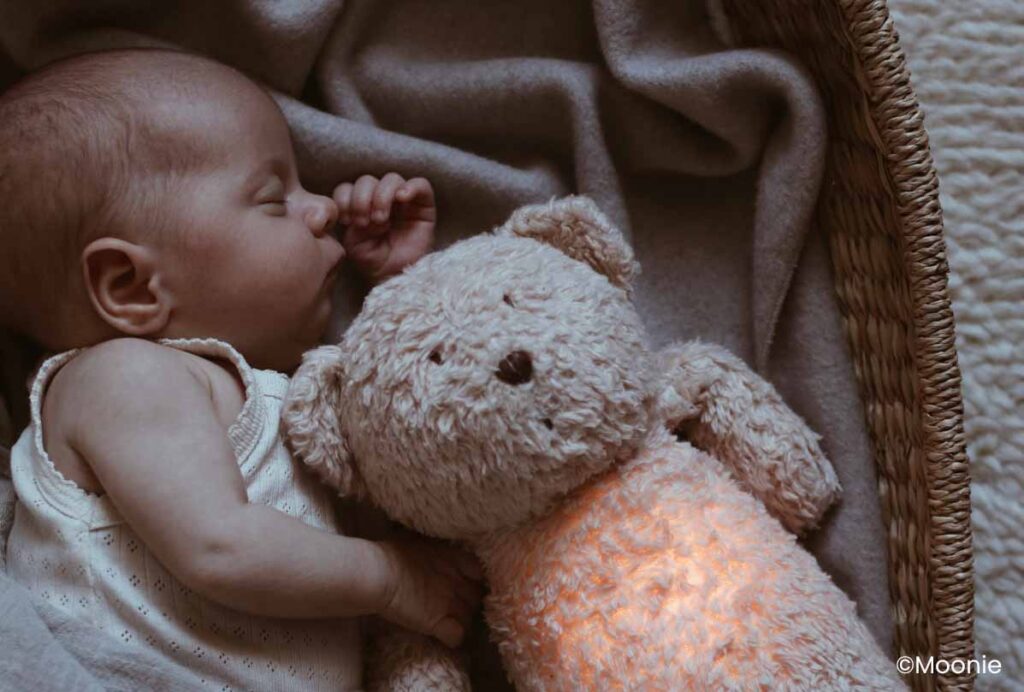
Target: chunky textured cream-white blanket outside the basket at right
{"x": 967, "y": 63}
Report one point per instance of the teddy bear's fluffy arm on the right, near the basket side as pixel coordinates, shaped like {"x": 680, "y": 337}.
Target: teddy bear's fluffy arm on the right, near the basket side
{"x": 730, "y": 412}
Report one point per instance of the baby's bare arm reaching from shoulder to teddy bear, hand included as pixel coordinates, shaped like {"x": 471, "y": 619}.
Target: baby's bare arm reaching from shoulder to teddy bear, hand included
{"x": 153, "y": 440}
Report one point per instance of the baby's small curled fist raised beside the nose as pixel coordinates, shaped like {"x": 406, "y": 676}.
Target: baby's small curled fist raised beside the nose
{"x": 389, "y": 224}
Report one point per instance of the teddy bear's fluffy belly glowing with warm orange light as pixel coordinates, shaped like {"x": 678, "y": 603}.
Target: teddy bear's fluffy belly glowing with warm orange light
{"x": 666, "y": 576}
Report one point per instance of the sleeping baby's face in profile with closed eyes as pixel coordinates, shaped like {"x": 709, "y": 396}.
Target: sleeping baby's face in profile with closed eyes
{"x": 252, "y": 255}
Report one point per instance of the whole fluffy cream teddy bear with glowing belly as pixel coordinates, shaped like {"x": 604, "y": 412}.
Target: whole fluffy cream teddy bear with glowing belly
{"x": 500, "y": 394}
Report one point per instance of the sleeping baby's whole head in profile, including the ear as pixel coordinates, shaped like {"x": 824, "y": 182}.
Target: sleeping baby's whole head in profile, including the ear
{"x": 155, "y": 194}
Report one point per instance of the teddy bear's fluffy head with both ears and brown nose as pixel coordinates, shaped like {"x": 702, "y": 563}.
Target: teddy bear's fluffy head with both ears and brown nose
{"x": 486, "y": 381}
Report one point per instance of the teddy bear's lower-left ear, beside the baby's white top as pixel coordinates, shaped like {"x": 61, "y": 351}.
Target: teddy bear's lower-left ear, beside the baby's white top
{"x": 313, "y": 430}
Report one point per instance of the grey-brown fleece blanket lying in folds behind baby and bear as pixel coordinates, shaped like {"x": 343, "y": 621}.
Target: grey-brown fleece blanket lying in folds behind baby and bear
{"x": 710, "y": 158}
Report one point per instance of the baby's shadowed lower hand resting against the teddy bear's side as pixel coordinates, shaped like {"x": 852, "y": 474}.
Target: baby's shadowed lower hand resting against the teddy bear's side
{"x": 435, "y": 589}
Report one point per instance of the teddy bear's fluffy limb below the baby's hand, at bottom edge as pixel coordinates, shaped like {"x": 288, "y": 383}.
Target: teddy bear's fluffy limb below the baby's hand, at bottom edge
{"x": 400, "y": 661}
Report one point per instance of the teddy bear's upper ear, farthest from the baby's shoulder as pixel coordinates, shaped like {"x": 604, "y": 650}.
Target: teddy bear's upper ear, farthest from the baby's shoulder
{"x": 580, "y": 230}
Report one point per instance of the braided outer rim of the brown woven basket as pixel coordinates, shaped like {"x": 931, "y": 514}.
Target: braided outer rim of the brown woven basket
{"x": 906, "y": 148}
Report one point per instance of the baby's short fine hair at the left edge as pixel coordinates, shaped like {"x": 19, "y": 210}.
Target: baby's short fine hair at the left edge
{"x": 81, "y": 157}
